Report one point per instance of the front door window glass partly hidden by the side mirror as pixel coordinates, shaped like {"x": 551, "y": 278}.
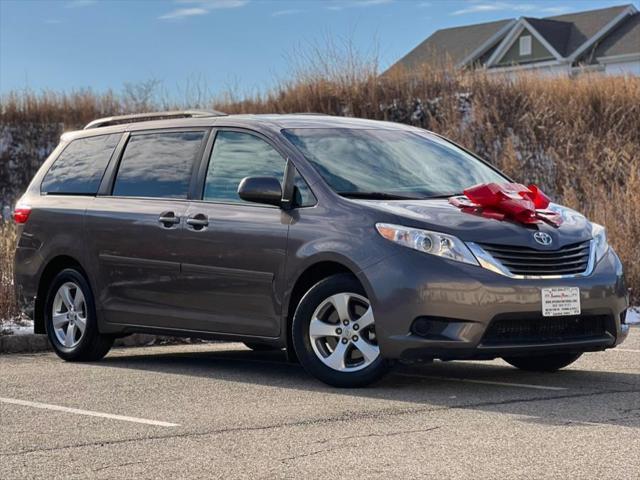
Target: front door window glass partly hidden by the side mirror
{"x": 237, "y": 155}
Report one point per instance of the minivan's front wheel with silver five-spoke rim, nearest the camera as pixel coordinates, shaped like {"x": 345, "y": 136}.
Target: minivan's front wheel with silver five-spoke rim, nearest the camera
{"x": 334, "y": 334}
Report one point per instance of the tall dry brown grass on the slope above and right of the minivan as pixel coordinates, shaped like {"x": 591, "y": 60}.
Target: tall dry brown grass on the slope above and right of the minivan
{"x": 577, "y": 138}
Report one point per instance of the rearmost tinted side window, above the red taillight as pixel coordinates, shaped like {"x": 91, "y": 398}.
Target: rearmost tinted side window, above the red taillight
{"x": 80, "y": 167}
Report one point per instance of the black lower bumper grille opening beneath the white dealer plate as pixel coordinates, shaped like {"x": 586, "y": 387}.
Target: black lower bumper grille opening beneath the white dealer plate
{"x": 545, "y": 330}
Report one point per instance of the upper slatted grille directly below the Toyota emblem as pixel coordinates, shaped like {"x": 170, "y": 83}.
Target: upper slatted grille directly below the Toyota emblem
{"x": 569, "y": 260}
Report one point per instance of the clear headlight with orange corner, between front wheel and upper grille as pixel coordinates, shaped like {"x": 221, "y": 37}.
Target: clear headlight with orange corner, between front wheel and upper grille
{"x": 434, "y": 243}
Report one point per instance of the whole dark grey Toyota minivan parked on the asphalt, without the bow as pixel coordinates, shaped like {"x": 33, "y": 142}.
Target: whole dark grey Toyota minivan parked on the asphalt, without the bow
{"x": 347, "y": 242}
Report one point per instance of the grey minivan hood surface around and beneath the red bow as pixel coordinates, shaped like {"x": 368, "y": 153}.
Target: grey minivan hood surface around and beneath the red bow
{"x": 441, "y": 216}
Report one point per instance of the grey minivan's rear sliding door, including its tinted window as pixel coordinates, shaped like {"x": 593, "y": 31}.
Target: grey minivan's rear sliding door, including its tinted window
{"x": 134, "y": 229}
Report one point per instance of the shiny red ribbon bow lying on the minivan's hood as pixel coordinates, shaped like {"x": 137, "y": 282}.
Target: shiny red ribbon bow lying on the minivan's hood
{"x": 508, "y": 201}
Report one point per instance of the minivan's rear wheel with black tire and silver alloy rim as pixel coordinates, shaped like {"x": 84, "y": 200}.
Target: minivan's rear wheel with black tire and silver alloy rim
{"x": 71, "y": 321}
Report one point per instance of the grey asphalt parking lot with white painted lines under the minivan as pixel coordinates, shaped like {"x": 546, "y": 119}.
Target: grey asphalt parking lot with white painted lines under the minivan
{"x": 222, "y": 411}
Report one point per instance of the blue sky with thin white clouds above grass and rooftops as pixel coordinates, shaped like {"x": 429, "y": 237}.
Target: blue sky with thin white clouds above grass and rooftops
{"x": 241, "y": 44}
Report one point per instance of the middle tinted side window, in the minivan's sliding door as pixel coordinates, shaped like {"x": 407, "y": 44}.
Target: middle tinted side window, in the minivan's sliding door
{"x": 158, "y": 165}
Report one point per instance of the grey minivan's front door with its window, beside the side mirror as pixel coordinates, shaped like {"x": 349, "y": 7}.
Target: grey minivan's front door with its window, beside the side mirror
{"x": 235, "y": 250}
